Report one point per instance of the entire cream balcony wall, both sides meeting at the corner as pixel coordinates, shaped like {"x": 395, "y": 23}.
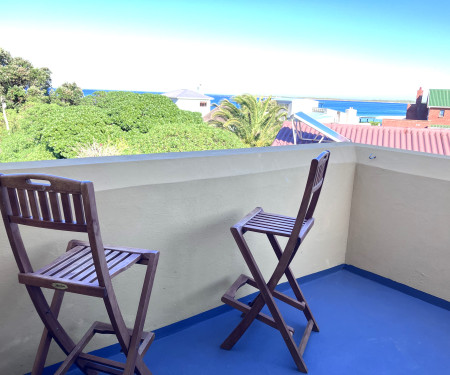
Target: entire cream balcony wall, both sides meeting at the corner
{"x": 387, "y": 215}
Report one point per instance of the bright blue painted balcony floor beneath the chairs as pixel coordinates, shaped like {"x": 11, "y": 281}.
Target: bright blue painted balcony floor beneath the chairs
{"x": 365, "y": 328}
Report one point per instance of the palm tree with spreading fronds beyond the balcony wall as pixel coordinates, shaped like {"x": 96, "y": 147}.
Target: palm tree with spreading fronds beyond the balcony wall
{"x": 255, "y": 120}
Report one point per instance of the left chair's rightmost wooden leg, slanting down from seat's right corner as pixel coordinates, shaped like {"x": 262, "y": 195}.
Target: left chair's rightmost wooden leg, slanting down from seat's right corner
{"x": 140, "y": 319}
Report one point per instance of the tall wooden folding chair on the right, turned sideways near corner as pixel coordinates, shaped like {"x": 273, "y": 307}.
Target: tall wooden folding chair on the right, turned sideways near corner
{"x": 277, "y": 225}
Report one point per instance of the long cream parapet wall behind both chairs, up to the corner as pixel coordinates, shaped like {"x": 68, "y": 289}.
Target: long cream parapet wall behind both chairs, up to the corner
{"x": 182, "y": 205}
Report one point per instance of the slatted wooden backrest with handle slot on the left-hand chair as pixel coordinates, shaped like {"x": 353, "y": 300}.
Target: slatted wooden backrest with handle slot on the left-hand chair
{"x": 50, "y": 202}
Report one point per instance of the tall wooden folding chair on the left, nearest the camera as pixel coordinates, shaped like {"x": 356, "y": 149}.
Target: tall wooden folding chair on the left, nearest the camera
{"x": 86, "y": 268}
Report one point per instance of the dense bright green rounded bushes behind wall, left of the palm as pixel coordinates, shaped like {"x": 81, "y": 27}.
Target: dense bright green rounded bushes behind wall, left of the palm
{"x": 107, "y": 123}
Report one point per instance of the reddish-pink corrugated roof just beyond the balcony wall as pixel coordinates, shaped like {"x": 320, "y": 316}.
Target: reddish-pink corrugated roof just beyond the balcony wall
{"x": 434, "y": 141}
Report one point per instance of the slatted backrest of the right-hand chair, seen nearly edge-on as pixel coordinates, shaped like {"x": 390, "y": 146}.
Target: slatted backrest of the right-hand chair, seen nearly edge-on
{"x": 311, "y": 195}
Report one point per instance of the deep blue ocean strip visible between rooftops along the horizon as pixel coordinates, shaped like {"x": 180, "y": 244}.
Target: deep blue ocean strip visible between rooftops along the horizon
{"x": 364, "y": 108}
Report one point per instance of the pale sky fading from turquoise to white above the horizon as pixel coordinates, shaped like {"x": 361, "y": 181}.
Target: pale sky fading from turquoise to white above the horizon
{"x": 326, "y": 49}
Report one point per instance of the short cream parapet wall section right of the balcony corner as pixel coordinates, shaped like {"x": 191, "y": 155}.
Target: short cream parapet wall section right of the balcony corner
{"x": 399, "y": 225}
